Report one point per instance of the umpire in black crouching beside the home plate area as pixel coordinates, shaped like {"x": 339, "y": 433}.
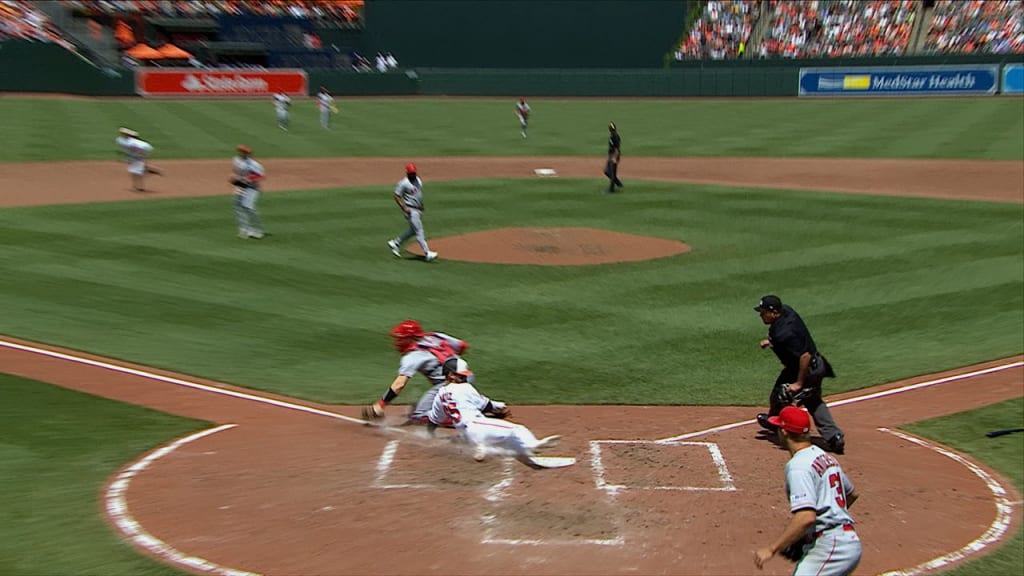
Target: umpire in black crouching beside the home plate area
{"x": 792, "y": 343}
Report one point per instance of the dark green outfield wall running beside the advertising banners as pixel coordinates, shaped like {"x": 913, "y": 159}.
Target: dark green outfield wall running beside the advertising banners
{"x": 27, "y": 67}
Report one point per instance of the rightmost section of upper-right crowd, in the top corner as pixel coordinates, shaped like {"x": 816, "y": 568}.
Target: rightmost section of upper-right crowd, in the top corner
{"x": 975, "y": 26}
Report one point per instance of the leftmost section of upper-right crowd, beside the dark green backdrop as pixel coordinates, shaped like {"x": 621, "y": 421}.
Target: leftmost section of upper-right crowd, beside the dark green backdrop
{"x": 722, "y": 31}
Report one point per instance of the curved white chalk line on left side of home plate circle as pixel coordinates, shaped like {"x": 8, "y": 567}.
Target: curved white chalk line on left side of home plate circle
{"x": 117, "y": 509}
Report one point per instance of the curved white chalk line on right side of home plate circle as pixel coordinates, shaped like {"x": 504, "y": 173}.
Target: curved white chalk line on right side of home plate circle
{"x": 996, "y": 531}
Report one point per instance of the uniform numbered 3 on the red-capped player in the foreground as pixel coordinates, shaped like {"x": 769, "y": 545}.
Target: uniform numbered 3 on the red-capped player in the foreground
{"x": 816, "y": 481}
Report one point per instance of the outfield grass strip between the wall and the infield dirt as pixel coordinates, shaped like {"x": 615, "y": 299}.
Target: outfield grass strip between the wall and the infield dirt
{"x": 76, "y": 130}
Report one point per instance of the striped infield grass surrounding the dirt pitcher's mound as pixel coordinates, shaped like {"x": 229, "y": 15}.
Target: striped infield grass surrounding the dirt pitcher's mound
{"x": 890, "y": 287}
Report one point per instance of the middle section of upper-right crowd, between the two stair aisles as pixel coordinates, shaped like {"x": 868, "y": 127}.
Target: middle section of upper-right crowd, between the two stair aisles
{"x": 838, "y": 28}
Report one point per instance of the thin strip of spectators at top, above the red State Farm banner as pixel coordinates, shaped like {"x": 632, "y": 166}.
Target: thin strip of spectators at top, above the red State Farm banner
{"x": 337, "y": 11}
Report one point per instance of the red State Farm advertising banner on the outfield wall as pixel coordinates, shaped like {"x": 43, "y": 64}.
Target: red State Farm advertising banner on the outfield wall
{"x": 195, "y": 83}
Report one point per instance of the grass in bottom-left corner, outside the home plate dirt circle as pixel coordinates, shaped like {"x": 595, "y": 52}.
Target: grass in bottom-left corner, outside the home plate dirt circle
{"x": 58, "y": 448}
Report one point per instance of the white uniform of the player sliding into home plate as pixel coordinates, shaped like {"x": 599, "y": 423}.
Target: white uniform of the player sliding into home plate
{"x": 459, "y": 405}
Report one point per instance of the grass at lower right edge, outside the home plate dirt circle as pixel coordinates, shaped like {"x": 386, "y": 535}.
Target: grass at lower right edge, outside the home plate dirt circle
{"x": 966, "y": 433}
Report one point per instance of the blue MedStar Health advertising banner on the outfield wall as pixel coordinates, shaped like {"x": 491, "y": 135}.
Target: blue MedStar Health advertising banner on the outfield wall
{"x": 895, "y": 81}
